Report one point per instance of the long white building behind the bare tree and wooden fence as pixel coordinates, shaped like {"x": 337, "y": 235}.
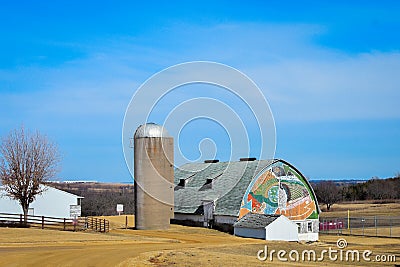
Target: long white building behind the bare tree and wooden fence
{"x": 51, "y": 203}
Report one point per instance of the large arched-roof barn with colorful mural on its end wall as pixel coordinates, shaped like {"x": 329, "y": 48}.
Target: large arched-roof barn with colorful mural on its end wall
{"x": 218, "y": 194}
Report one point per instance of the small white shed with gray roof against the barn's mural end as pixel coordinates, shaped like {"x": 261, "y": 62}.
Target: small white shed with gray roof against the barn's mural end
{"x": 268, "y": 227}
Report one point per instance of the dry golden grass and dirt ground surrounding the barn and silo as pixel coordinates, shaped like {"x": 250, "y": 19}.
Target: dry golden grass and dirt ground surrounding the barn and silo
{"x": 178, "y": 246}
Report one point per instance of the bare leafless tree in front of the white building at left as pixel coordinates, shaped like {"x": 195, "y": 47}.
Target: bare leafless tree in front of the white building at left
{"x": 27, "y": 160}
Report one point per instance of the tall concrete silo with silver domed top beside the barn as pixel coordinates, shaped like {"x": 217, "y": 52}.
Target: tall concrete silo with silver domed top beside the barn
{"x": 154, "y": 177}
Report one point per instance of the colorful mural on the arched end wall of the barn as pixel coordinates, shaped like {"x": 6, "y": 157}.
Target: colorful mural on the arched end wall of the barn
{"x": 280, "y": 190}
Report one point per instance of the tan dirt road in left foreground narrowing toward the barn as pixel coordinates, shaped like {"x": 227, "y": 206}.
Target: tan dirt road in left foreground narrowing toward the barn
{"x": 35, "y": 247}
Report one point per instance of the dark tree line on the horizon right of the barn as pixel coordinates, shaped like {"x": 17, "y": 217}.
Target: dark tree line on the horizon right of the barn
{"x": 331, "y": 192}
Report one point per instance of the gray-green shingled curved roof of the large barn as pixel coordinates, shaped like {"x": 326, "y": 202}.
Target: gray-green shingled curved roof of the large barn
{"x": 223, "y": 182}
